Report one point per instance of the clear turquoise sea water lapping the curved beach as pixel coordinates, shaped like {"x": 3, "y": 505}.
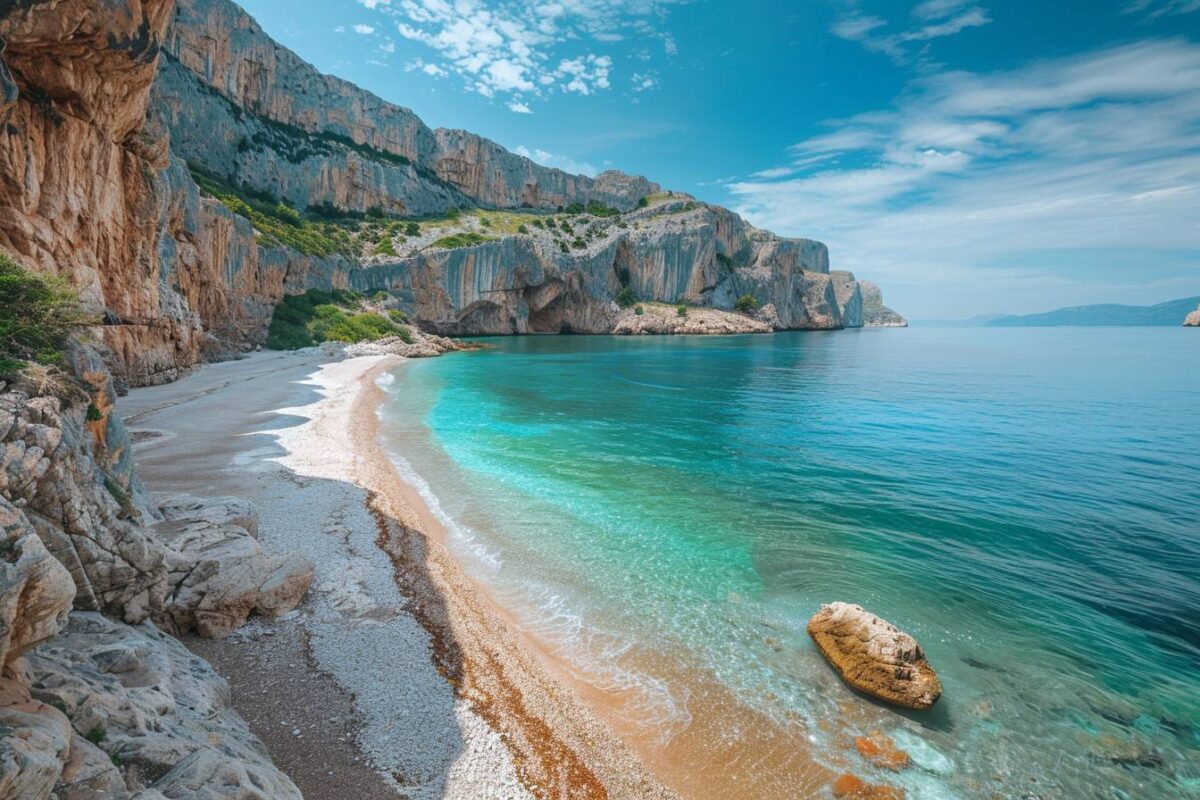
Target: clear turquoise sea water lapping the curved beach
{"x": 1025, "y": 502}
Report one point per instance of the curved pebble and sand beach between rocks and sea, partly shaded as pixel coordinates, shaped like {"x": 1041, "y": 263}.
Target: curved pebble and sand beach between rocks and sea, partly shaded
{"x": 397, "y": 677}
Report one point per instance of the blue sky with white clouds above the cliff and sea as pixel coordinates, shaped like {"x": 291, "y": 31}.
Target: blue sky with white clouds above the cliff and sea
{"x": 969, "y": 157}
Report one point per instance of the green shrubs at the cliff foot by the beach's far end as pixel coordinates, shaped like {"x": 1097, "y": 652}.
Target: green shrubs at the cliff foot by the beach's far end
{"x": 338, "y": 316}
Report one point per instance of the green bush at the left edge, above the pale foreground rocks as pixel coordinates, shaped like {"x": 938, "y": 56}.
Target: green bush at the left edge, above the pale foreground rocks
{"x": 38, "y": 314}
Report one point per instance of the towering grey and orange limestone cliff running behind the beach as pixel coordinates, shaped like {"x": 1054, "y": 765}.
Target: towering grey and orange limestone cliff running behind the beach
{"x": 107, "y": 118}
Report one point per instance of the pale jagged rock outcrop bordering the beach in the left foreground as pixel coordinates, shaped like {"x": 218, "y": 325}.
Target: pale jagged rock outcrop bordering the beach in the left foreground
{"x": 100, "y": 702}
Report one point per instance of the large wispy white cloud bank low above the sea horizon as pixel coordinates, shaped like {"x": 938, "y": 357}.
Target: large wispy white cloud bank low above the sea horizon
{"x": 980, "y": 185}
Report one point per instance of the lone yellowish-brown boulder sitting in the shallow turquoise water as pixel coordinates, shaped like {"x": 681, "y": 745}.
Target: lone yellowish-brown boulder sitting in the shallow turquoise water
{"x": 874, "y": 657}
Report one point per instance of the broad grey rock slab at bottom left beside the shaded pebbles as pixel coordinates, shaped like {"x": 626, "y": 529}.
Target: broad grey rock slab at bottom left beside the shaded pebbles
{"x": 147, "y": 702}
